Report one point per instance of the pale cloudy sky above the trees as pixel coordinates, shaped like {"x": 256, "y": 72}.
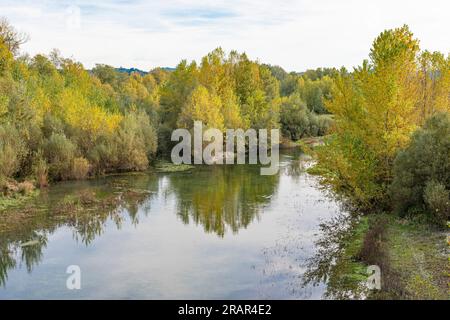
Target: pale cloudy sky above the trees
{"x": 294, "y": 34}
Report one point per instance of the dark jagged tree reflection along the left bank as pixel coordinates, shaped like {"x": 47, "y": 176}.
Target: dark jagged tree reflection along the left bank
{"x": 85, "y": 207}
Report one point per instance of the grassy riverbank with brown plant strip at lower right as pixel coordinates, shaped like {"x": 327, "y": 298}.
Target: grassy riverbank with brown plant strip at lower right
{"x": 411, "y": 253}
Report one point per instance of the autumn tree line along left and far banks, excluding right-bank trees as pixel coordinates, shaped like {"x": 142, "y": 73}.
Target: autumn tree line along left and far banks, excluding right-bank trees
{"x": 59, "y": 121}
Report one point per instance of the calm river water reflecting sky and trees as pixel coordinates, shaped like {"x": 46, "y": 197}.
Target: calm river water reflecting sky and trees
{"x": 213, "y": 232}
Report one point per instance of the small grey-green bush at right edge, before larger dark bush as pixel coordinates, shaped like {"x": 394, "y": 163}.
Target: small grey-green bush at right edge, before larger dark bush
{"x": 437, "y": 200}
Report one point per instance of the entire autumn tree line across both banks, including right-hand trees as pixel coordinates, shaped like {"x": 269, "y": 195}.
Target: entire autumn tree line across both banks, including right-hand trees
{"x": 386, "y": 120}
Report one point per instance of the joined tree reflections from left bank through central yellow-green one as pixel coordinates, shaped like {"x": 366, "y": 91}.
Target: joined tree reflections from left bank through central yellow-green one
{"x": 219, "y": 198}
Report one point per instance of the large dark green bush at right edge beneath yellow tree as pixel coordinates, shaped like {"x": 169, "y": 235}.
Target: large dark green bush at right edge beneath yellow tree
{"x": 422, "y": 170}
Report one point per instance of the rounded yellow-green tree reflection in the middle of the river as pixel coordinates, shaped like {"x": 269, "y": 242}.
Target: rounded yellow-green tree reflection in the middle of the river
{"x": 223, "y": 197}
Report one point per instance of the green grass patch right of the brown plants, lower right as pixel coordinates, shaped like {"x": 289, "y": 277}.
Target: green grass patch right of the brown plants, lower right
{"x": 418, "y": 253}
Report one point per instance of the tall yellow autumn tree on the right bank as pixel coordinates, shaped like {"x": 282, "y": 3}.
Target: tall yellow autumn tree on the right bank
{"x": 376, "y": 108}
